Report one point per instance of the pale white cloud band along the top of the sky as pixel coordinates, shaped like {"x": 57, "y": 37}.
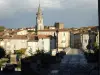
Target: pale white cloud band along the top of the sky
{"x": 11, "y": 7}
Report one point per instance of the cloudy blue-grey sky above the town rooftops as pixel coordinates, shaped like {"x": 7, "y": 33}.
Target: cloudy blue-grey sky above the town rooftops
{"x": 73, "y": 13}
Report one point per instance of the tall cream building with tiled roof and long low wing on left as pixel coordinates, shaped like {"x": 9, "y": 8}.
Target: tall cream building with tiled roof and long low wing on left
{"x": 63, "y": 36}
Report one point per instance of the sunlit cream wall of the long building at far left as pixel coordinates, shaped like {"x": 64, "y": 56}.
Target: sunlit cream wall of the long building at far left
{"x": 14, "y": 44}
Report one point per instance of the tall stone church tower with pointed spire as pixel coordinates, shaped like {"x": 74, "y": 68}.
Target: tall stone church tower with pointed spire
{"x": 39, "y": 19}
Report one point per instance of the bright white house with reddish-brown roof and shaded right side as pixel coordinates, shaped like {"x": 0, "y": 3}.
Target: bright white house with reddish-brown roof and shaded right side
{"x": 40, "y": 42}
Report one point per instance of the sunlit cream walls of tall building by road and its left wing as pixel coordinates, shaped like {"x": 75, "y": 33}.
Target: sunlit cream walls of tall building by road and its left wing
{"x": 60, "y": 37}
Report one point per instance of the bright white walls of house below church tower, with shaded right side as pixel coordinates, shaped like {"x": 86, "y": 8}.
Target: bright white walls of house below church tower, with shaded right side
{"x": 41, "y": 44}
